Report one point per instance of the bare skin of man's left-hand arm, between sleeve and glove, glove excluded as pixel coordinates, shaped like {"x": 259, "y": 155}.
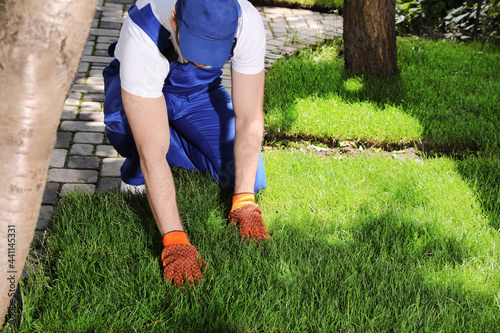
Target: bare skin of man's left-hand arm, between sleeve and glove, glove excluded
{"x": 148, "y": 120}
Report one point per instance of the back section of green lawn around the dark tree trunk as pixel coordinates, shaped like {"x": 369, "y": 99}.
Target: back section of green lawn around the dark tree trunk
{"x": 446, "y": 95}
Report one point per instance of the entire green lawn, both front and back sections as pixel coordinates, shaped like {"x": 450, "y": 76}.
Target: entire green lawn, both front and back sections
{"x": 359, "y": 242}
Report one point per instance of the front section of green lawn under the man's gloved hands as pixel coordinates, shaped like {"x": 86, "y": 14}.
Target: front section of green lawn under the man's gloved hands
{"x": 358, "y": 244}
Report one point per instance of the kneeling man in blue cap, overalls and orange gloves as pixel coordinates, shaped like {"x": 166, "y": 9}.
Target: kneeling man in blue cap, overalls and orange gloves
{"x": 165, "y": 106}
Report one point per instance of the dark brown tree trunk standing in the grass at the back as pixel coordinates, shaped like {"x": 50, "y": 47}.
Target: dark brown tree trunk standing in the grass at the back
{"x": 370, "y": 36}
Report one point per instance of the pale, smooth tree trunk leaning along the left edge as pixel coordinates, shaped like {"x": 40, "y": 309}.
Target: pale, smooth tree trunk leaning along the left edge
{"x": 41, "y": 43}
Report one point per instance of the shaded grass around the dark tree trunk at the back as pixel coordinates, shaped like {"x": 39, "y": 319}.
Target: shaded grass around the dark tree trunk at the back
{"x": 451, "y": 89}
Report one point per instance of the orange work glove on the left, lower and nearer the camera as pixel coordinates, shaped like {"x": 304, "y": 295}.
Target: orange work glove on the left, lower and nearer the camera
{"x": 181, "y": 260}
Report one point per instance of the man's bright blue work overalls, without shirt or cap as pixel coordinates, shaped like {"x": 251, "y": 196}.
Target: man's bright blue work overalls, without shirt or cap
{"x": 200, "y": 113}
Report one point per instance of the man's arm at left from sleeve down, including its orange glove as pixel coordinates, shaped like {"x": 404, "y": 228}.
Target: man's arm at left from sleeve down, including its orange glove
{"x": 148, "y": 120}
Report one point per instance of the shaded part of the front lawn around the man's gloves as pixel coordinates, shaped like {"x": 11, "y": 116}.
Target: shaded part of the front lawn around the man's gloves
{"x": 374, "y": 279}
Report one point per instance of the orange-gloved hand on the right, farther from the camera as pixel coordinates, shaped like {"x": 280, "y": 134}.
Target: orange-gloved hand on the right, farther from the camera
{"x": 247, "y": 216}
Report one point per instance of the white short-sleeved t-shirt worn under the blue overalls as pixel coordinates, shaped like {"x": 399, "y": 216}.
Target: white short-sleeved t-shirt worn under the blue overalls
{"x": 143, "y": 68}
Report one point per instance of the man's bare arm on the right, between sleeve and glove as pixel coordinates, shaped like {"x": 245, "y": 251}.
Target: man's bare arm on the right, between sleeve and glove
{"x": 248, "y": 96}
